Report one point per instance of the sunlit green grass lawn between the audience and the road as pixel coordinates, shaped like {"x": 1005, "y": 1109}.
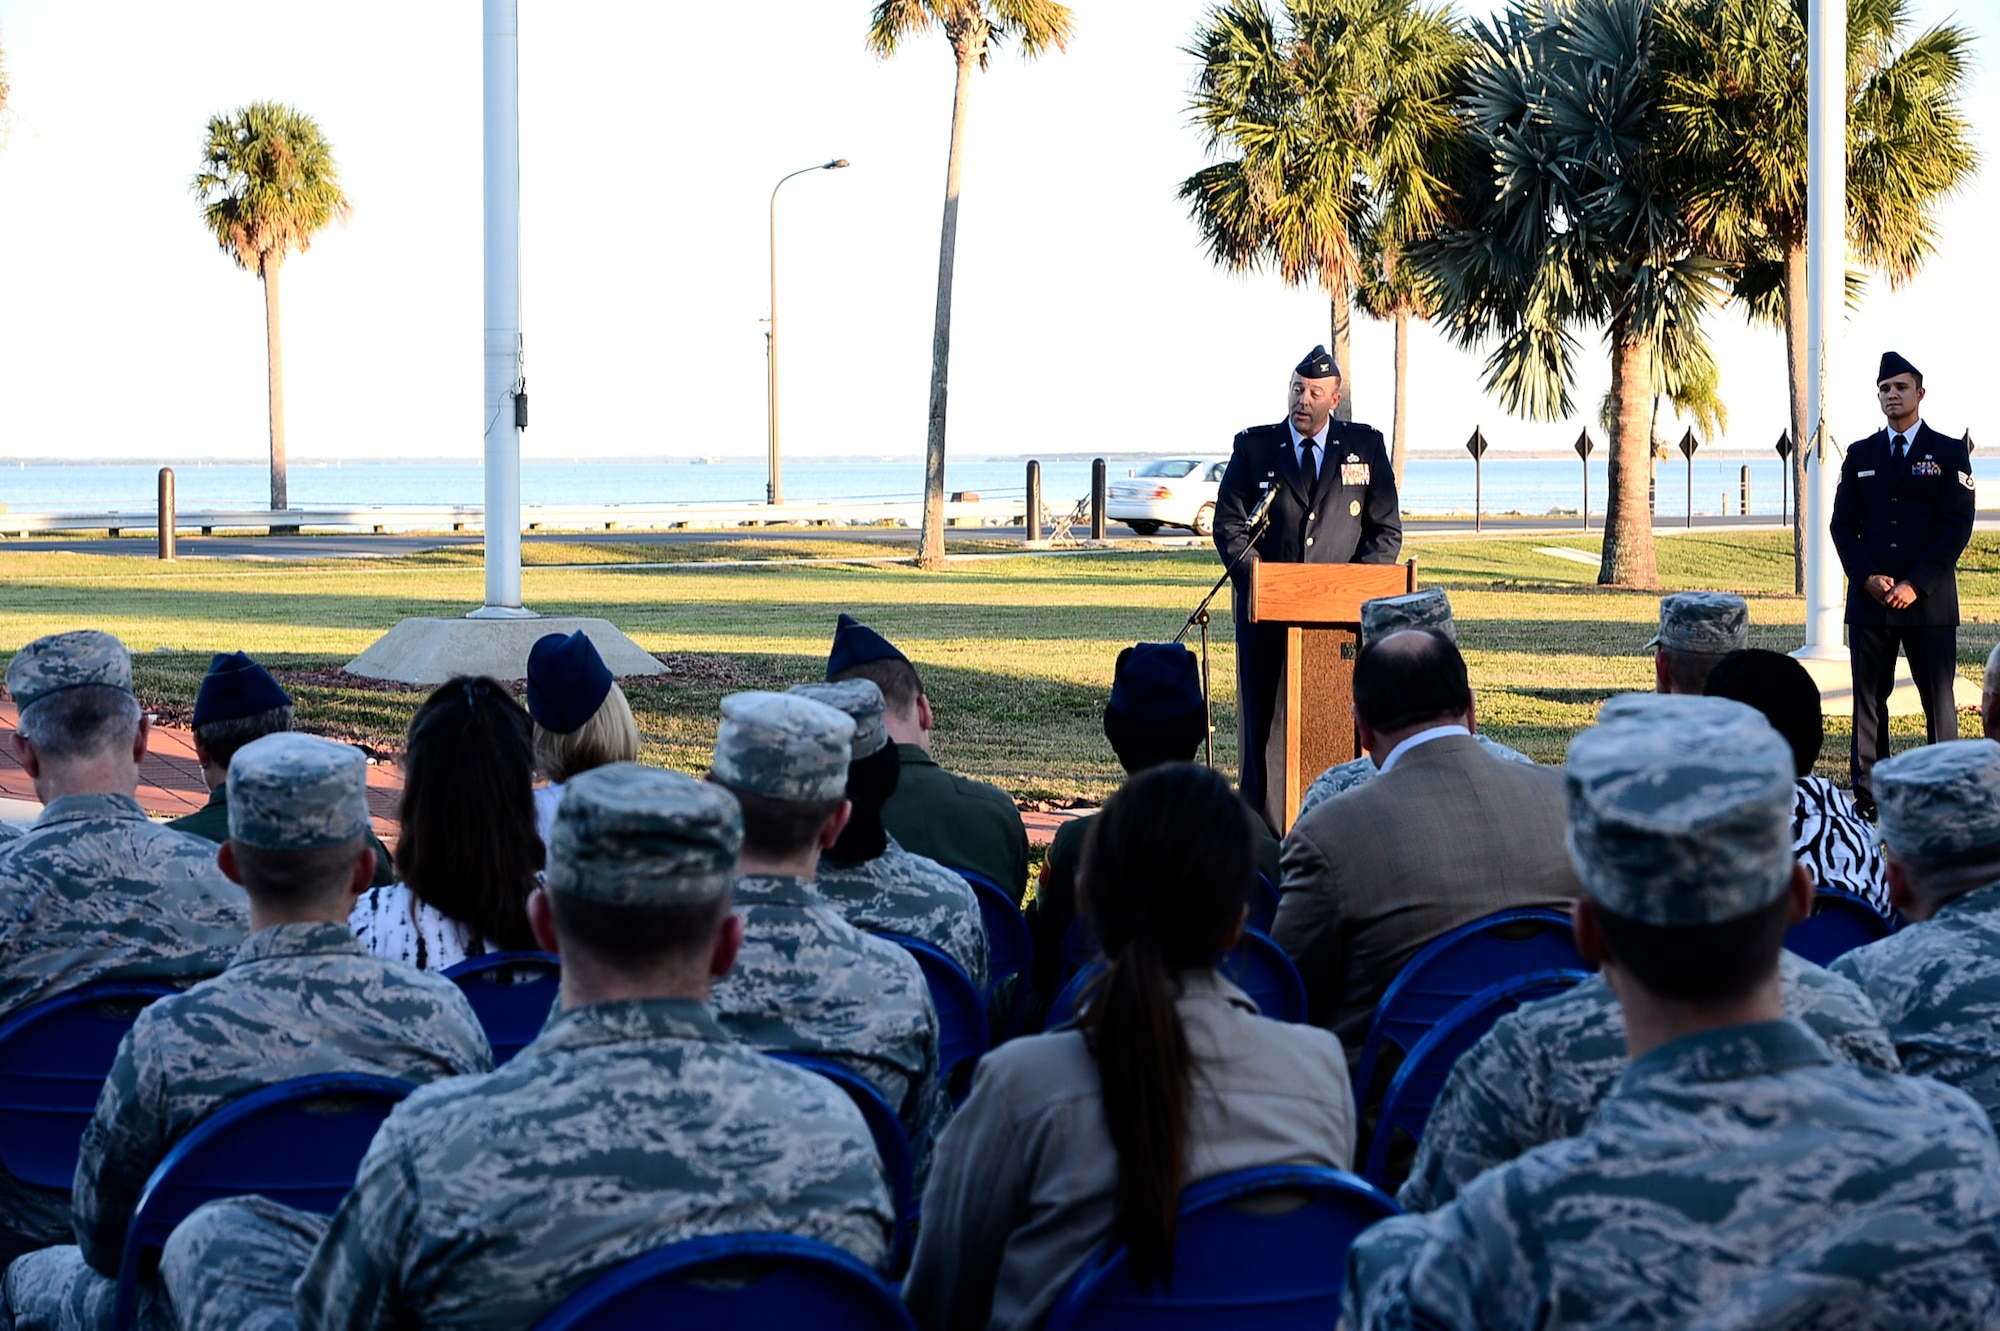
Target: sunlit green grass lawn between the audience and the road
{"x": 1017, "y": 655}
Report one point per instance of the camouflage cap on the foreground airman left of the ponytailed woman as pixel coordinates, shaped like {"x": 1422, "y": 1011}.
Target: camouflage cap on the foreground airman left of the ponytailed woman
{"x": 641, "y": 836}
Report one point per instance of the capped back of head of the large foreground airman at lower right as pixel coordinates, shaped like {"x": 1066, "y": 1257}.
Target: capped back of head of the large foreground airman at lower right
{"x": 1681, "y": 830}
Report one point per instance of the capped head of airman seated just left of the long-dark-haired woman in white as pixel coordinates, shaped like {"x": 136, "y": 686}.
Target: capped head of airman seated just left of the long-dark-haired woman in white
{"x": 299, "y": 820}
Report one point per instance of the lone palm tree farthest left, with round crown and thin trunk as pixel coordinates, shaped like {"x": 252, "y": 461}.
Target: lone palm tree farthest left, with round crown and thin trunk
{"x": 267, "y": 187}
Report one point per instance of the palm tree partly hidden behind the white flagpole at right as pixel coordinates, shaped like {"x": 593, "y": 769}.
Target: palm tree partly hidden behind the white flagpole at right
{"x": 1735, "y": 85}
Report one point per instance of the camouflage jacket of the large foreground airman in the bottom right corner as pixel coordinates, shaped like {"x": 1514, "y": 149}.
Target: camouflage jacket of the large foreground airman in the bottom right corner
{"x": 1735, "y": 1178}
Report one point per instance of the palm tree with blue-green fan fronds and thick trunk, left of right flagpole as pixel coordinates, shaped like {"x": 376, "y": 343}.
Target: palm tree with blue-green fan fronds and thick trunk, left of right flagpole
{"x": 1567, "y": 219}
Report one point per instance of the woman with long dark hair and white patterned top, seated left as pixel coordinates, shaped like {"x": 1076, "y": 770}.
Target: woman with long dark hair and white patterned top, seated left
{"x": 469, "y": 850}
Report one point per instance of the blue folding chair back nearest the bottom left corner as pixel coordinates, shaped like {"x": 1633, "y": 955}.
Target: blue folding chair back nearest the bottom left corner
{"x": 297, "y": 1142}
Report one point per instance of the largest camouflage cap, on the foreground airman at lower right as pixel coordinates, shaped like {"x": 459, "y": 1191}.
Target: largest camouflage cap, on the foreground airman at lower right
{"x": 1681, "y": 810}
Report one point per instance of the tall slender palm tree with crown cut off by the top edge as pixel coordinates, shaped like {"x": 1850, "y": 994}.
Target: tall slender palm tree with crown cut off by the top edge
{"x": 975, "y": 29}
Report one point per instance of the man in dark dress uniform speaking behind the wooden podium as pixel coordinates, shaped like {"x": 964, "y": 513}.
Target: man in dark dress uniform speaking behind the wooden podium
{"x": 1307, "y": 491}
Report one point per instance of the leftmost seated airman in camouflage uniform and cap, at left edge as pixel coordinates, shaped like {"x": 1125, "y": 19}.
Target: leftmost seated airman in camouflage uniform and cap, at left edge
{"x": 95, "y": 890}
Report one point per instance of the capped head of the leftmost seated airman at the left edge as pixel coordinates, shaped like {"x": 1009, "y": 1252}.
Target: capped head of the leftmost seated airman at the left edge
{"x": 75, "y": 696}
